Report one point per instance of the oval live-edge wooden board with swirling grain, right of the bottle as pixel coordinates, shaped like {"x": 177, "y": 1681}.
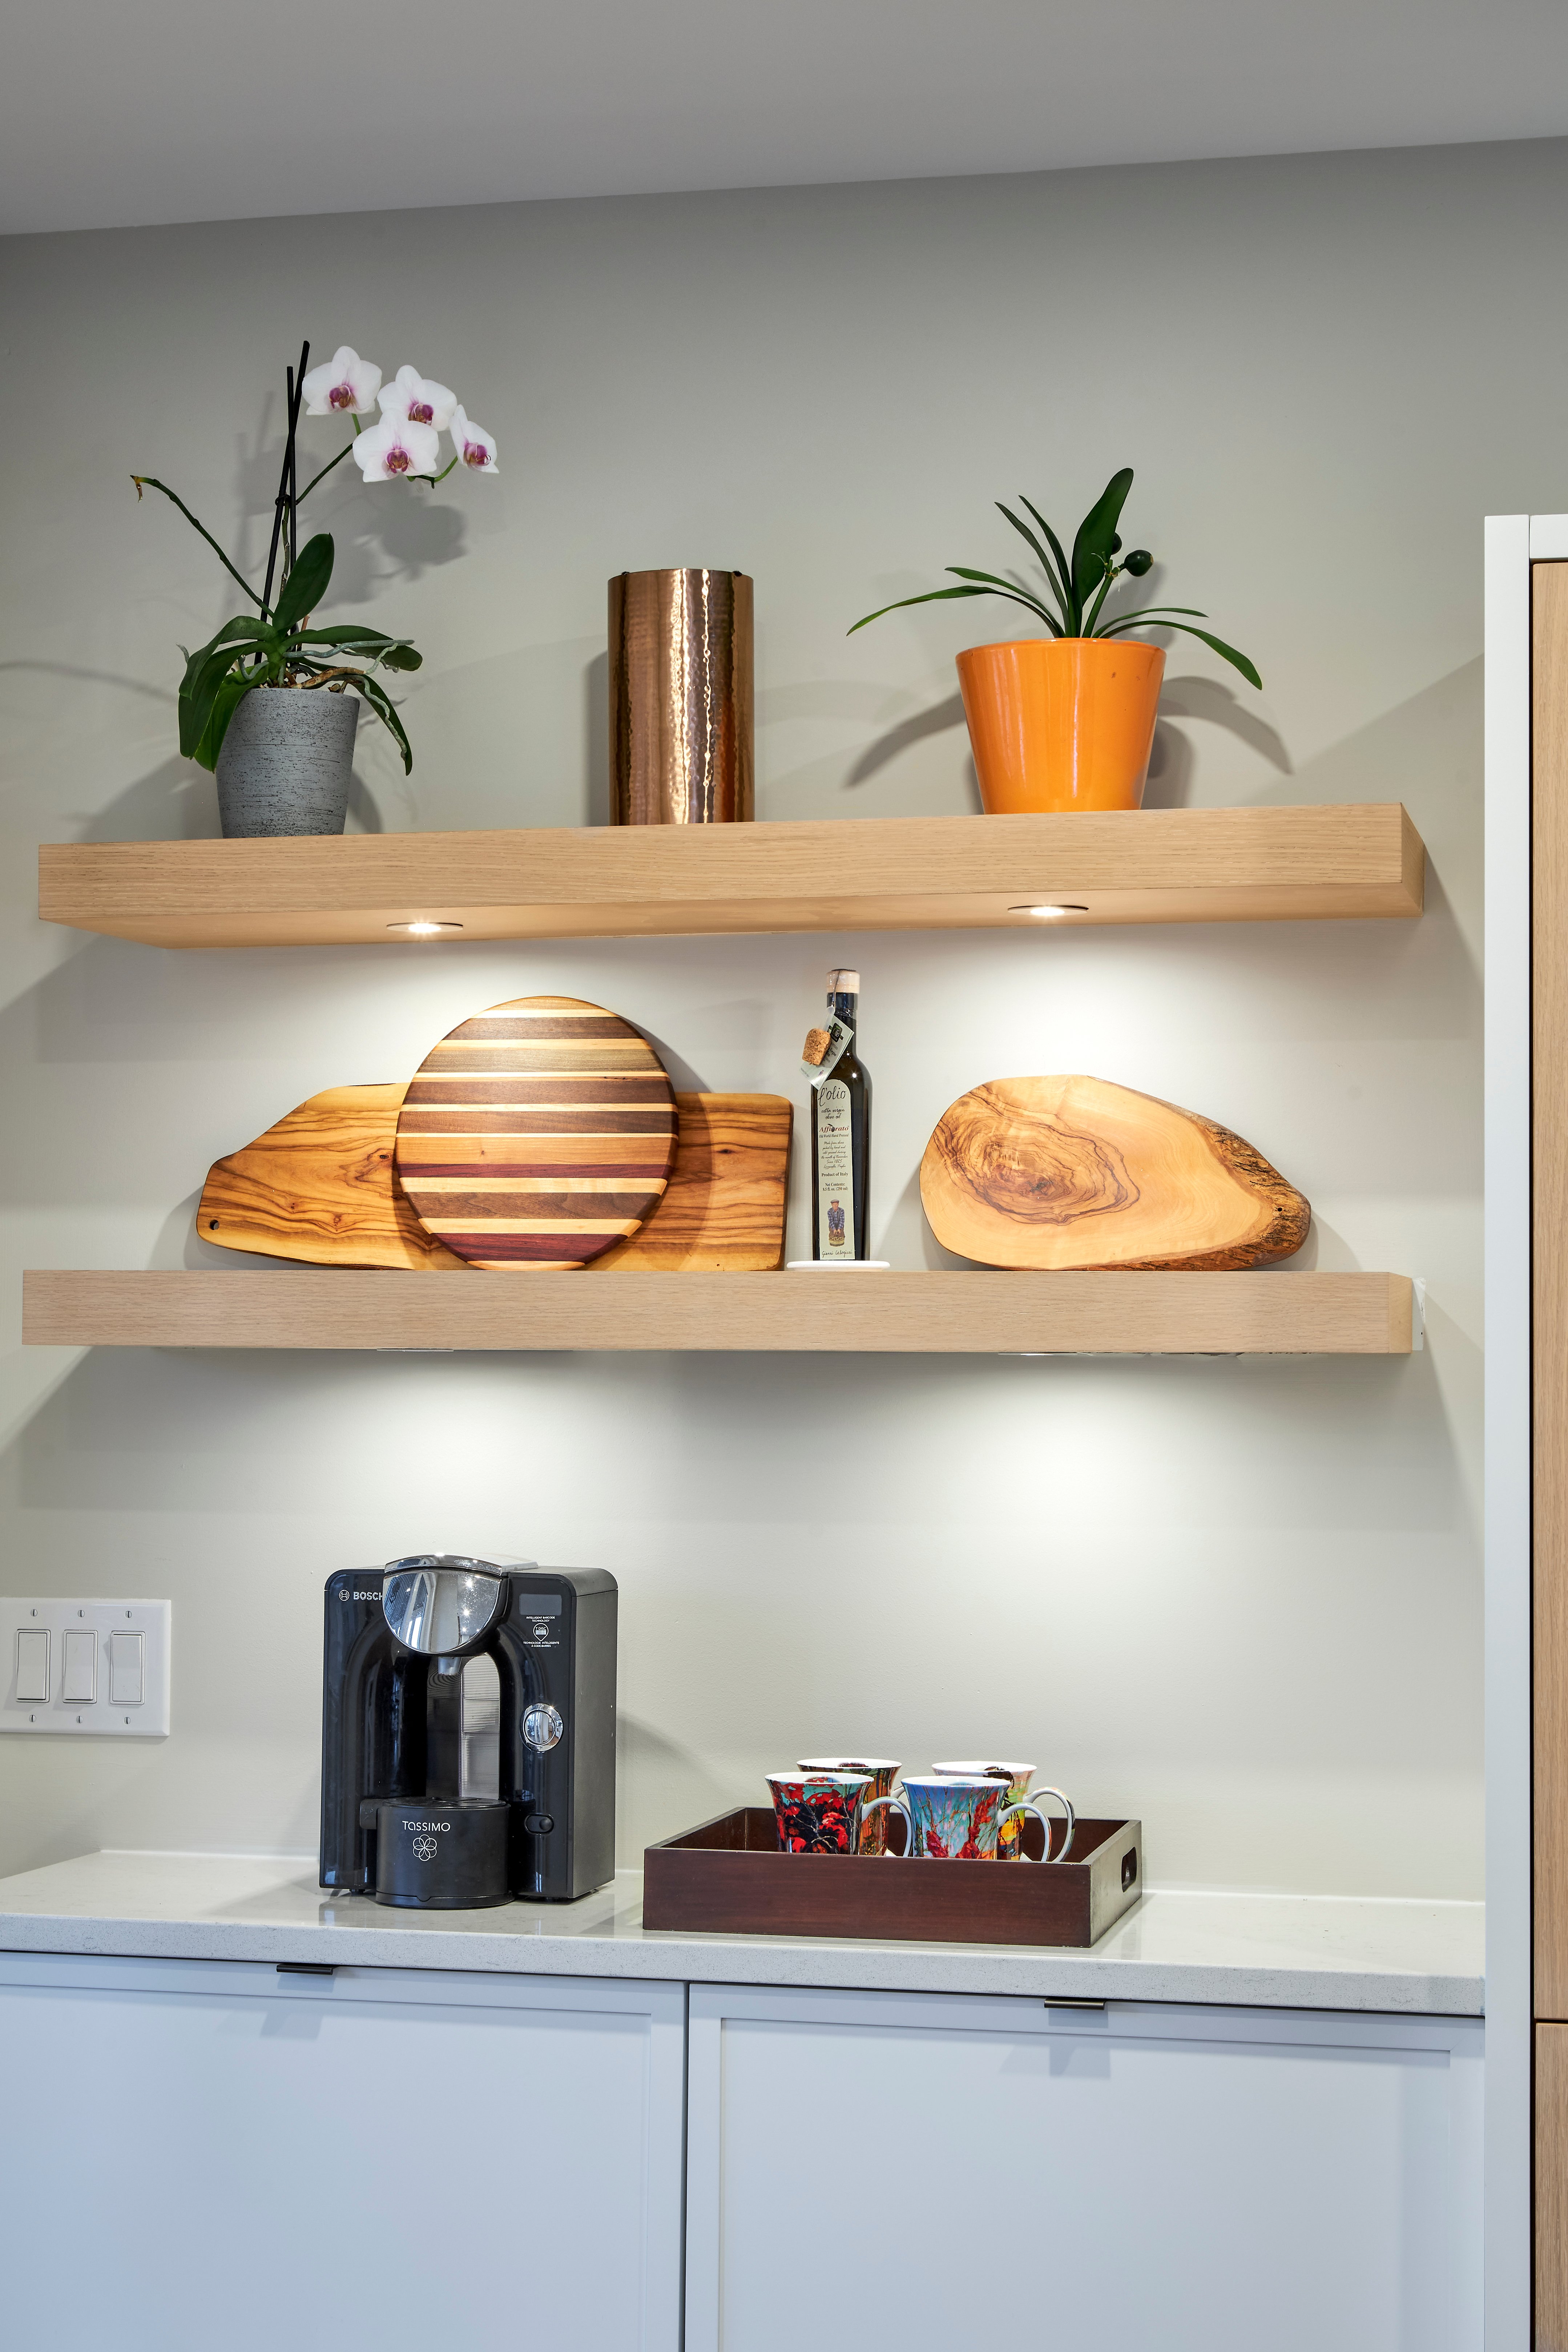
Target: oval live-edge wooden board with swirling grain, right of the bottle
{"x": 1076, "y": 1172}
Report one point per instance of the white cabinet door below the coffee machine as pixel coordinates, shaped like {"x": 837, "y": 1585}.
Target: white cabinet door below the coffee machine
{"x": 217, "y": 2158}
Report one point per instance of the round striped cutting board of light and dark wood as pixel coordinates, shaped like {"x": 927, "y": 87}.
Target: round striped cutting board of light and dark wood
{"x": 537, "y": 1135}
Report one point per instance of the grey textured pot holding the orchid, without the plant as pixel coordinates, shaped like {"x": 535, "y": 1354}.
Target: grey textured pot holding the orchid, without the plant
{"x": 286, "y": 763}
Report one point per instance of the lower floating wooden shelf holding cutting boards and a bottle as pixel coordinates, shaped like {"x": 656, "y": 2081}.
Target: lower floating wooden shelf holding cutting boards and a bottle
{"x": 967, "y": 1314}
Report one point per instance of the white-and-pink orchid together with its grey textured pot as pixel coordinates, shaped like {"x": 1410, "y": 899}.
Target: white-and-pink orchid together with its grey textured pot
{"x": 272, "y": 702}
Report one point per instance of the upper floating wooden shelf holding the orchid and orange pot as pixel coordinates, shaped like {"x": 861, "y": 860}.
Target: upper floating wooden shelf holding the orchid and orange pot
{"x": 913, "y": 874}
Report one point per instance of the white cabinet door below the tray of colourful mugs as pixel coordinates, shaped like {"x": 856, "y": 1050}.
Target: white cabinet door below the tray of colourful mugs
{"x": 934, "y": 2174}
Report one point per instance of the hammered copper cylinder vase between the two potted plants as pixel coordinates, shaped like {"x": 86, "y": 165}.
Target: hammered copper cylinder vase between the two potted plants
{"x": 681, "y": 697}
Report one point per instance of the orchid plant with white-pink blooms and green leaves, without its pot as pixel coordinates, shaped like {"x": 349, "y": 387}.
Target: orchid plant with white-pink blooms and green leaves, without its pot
{"x": 276, "y": 646}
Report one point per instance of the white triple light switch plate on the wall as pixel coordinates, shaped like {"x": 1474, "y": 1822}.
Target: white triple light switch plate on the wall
{"x": 86, "y": 1669}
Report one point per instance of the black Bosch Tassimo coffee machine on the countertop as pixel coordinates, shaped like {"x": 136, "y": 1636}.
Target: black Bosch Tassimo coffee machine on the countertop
{"x": 396, "y": 1819}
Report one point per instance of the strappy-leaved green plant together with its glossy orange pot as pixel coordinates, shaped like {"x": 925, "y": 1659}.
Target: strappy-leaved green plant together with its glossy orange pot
{"x": 1068, "y": 721}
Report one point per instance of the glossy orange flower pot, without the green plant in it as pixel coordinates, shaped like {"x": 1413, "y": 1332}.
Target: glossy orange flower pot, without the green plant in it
{"x": 1061, "y": 723}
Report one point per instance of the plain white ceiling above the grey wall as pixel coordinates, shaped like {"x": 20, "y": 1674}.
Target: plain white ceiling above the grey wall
{"x": 126, "y": 112}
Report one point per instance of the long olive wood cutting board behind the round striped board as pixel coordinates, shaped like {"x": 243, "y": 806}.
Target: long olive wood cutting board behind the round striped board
{"x": 321, "y": 1187}
